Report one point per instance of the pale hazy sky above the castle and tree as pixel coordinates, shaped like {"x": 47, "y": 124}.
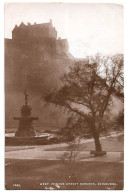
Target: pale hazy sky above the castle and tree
{"x": 89, "y": 28}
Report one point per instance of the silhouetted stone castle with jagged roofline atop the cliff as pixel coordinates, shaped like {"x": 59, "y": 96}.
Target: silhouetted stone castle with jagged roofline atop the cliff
{"x": 44, "y": 34}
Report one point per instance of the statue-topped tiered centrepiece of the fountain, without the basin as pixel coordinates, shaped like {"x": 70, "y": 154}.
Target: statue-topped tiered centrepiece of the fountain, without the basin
{"x": 25, "y": 128}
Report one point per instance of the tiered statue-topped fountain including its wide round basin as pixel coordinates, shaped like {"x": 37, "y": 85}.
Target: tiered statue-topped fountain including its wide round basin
{"x": 25, "y": 134}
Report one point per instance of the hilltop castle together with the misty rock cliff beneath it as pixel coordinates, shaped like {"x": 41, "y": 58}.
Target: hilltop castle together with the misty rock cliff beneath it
{"x": 35, "y": 59}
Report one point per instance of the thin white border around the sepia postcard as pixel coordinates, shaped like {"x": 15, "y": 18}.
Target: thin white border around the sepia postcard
{"x": 2, "y": 190}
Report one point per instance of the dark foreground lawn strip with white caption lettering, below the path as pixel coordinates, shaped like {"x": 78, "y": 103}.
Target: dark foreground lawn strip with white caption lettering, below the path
{"x": 89, "y": 175}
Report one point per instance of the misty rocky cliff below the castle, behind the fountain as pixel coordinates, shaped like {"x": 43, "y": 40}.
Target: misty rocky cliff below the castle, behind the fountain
{"x": 38, "y": 68}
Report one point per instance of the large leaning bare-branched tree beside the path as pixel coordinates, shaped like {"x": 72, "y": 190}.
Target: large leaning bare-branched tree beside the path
{"x": 87, "y": 93}
